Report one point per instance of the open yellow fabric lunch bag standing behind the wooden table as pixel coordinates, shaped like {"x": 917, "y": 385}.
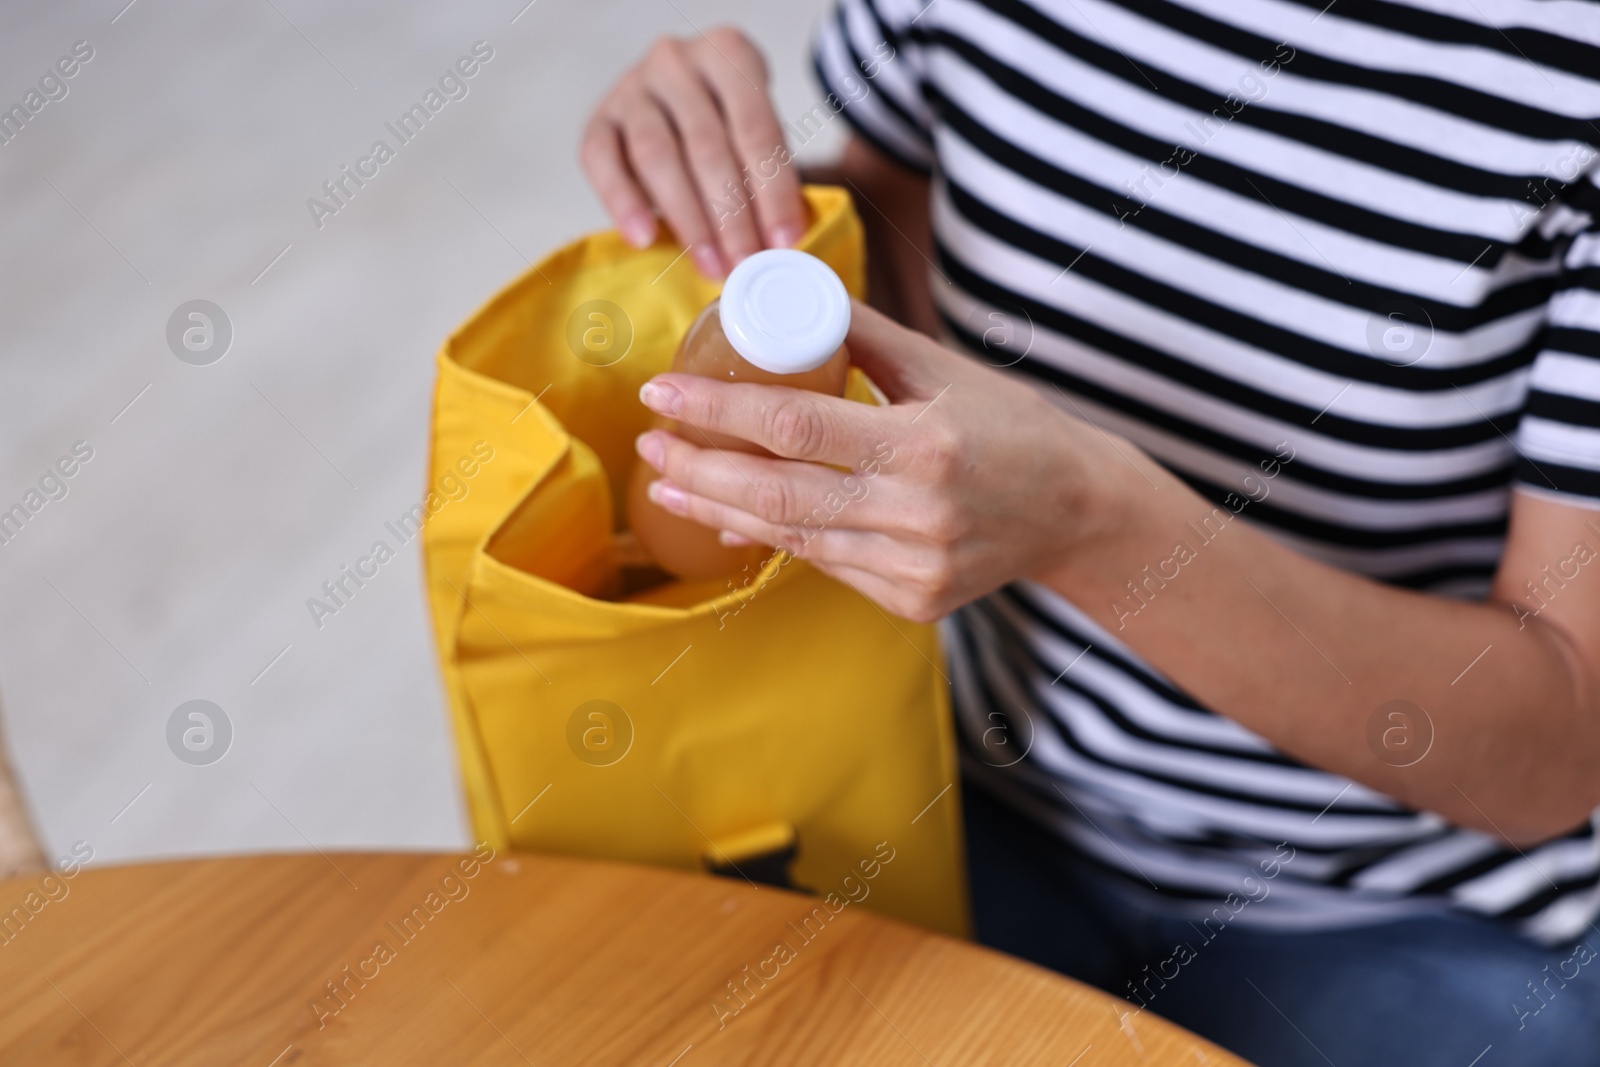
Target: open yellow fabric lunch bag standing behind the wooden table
{"x": 780, "y": 729}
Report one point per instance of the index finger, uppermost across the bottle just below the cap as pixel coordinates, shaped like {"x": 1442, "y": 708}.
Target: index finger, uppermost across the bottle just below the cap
{"x": 790, "y": 423}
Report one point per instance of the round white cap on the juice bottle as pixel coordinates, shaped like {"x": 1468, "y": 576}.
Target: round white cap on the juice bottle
{"x": 785, "y": 311}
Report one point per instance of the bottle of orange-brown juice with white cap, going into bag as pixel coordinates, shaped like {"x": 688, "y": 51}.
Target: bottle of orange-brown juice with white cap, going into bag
{"x": 782, "y": 321}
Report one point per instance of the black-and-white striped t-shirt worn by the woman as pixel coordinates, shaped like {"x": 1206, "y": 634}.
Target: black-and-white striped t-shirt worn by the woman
{"x": 1334, "y": 265}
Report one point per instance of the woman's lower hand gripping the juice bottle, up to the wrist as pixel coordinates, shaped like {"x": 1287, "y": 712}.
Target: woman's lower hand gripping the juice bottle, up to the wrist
{"x": 966, "y": 482}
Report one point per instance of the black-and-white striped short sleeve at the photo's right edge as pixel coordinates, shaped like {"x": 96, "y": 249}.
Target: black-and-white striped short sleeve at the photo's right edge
{"x": 1559, "y": 436}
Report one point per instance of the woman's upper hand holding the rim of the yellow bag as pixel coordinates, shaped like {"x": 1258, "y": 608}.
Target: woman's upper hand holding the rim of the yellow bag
{"x": 690, "y": 135}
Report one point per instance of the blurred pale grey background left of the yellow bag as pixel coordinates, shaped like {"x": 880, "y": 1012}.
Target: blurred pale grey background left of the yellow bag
{"x": 222, "y": 497}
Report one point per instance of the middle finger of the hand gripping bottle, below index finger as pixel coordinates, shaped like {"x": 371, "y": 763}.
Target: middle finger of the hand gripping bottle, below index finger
{"x": 778, "y": 492}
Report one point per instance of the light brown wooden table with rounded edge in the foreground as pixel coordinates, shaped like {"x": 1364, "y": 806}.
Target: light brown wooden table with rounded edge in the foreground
{"x": 270, "y": 962}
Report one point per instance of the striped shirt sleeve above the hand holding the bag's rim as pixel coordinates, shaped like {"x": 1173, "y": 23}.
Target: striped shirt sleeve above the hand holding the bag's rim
{"x": 870, "y": 63}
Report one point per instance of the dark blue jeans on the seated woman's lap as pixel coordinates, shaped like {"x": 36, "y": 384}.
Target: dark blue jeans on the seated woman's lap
{"x": 1420, "y": 993}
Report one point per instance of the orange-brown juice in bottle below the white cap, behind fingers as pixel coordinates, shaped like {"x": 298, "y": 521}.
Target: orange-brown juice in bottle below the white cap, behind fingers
{"x": 682, "y": 546}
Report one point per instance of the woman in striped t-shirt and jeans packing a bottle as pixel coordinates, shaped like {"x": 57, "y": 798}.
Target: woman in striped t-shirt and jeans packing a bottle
{"x": 1262, "y": 500}
